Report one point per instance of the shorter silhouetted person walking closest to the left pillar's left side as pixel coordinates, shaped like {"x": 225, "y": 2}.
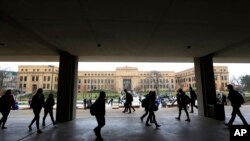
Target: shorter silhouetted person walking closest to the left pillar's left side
{"x": 48, "y": 109}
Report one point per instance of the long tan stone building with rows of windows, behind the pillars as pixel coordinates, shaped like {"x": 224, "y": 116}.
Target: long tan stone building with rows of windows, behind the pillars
{"x": 32, "y": 77}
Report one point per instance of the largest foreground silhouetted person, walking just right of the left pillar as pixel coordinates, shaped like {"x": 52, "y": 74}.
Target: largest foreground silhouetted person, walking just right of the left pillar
{"x": 99, "y": 107}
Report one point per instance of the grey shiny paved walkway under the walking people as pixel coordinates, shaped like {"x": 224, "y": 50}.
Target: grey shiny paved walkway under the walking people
{"x": 121, "y": 127}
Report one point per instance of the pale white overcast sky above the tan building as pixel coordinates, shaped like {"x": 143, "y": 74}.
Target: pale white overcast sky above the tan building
{"x": 236, "y": 70}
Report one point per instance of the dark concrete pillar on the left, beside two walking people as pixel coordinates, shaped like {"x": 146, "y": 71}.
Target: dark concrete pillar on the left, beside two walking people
{"x": 67, "y": 87}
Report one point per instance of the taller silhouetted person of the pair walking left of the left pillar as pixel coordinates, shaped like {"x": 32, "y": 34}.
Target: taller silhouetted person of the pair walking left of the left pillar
{"x": 37, "y": 104}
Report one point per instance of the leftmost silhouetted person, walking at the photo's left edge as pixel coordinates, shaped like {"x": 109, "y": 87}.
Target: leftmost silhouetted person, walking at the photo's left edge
{"x": 7, "y": 102}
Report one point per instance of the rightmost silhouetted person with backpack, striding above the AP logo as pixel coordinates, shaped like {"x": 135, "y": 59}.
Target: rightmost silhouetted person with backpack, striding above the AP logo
{"x": 236, "y": 101}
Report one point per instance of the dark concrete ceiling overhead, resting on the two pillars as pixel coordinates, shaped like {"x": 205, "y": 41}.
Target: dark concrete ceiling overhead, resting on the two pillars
{"x": 125, "y": 30}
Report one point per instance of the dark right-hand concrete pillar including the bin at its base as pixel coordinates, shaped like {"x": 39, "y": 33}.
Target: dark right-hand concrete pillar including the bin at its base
{"x": 205, "y": 83}
